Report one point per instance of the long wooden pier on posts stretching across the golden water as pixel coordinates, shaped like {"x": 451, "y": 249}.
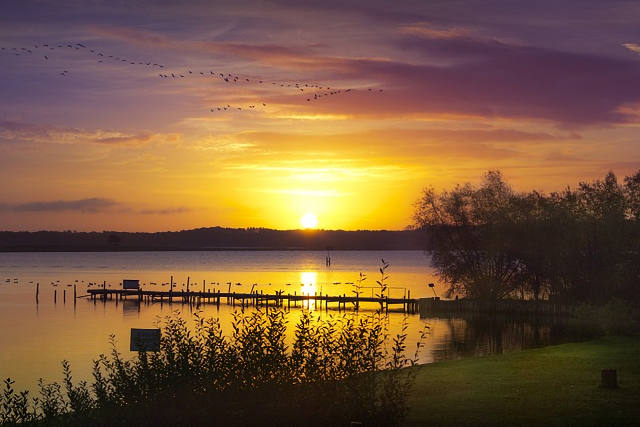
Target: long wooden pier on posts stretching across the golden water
{"x": 255, "y": 299}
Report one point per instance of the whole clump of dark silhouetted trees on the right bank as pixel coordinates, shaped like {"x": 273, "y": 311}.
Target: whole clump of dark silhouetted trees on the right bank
{"x": 578, "y": 246}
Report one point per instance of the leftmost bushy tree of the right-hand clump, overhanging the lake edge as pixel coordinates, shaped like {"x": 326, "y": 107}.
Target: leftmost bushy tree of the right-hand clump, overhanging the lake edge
{"x": 467, "y": 249}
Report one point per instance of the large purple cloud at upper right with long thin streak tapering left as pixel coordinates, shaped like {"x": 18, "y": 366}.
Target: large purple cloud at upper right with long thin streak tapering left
{"x": 455, "y": 74}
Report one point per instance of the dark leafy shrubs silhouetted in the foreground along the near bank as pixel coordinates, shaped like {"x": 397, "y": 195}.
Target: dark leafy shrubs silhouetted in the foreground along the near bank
{"x": 335, "y": 371}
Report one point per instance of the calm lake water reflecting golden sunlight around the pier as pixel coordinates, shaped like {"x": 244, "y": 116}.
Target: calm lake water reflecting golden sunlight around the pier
{"x": 34, "y": 339}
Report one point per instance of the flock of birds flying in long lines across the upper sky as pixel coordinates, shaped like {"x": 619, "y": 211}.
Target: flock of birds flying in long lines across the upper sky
{"x": 309, "y": 91}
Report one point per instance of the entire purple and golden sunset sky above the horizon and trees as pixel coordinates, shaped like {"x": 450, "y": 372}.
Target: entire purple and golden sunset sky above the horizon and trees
{"x": 546, "y": 91}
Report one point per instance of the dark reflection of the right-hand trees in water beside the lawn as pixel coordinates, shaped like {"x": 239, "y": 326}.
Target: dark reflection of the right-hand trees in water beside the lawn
{"x": 495, "y": 334}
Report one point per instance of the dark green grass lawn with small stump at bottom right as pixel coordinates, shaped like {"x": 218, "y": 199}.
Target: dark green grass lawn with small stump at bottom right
{"x": 551, "y": 386}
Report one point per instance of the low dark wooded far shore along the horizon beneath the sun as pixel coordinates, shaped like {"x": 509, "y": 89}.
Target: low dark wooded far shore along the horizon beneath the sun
{"x": 214, "y": 238}
